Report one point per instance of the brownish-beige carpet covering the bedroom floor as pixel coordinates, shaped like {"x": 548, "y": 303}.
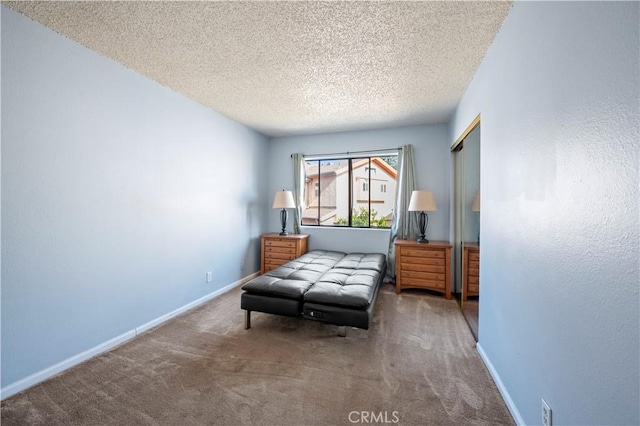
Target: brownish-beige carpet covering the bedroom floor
{"x": 416, "y": 365}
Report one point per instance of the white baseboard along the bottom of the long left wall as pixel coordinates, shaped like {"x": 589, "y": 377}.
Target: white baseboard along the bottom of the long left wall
{"x": 43, "y": 375}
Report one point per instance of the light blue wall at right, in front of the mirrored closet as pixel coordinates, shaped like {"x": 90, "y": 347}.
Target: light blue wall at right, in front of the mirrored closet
{"x": 559, "y": 316}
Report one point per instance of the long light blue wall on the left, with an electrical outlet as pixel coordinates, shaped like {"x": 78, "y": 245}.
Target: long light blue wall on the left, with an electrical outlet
{"x": 118, "y": 195}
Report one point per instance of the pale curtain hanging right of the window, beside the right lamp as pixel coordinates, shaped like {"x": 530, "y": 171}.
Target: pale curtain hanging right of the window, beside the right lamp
{"x": 404, "y": 224}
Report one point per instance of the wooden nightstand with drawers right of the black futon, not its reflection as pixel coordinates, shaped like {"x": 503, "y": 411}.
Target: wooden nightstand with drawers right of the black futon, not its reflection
{"x": 423, "y": 265}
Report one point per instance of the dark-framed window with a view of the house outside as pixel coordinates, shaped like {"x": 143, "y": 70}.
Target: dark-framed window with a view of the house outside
{"x": 352, "y": 192}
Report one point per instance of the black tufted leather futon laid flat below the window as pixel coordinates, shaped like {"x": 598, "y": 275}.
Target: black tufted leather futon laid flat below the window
{"x": 321, "y": 285}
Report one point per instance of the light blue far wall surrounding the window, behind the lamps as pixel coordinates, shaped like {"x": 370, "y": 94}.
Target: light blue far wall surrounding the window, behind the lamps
{"x": 432, "y": 162}
